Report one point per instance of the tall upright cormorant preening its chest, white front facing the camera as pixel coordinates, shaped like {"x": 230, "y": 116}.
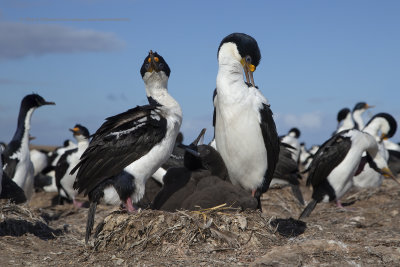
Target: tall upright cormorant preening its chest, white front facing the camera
{"x": 245, "y": 131}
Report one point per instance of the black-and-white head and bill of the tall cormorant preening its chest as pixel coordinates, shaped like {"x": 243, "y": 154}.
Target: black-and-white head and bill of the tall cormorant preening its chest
{"x": 244, "y": 49}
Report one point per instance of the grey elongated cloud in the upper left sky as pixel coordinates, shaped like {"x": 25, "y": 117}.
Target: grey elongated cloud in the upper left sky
{"x": 20, "y": 40}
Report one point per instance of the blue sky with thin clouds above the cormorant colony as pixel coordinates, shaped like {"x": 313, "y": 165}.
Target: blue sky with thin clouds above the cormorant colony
{"x": 317, "y": 57}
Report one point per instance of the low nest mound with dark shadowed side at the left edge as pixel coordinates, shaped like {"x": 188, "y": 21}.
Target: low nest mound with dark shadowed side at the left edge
{"x": 17, "y": 220}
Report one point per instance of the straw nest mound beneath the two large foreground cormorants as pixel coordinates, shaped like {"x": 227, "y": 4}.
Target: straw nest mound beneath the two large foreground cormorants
{"x": 209, "y": 230}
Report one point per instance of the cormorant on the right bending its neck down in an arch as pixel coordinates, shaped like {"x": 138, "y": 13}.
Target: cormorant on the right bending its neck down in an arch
{"x": 337, "y": 161}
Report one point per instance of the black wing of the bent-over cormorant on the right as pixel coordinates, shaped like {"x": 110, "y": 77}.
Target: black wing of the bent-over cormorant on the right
{"x": 328, "y": 156}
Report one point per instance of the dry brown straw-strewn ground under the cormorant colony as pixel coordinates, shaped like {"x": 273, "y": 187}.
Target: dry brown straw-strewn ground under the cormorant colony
{"x": 366, "y": 234}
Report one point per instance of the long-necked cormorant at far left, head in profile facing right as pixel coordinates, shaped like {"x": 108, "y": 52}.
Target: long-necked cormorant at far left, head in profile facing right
{"x": 18, "y": 165}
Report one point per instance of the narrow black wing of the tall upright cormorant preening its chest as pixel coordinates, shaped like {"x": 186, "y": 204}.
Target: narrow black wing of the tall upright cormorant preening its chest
{"x": 271, "y": 141}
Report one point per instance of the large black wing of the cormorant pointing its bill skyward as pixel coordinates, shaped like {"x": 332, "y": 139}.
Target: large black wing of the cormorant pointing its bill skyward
{"x": 121, "y": 140}
